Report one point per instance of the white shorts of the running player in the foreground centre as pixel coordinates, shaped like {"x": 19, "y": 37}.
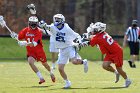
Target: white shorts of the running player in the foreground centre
{"x": 66, "y": 54}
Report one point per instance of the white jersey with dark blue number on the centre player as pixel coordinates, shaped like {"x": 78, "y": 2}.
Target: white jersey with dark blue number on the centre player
{"x": 63, "y": 38}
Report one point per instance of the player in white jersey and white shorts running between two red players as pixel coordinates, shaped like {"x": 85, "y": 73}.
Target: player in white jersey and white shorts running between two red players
{"x": 64, "y": 37}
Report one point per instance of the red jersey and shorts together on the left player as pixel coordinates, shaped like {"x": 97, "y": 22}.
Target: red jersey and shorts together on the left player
{"x": 29, "y": 34}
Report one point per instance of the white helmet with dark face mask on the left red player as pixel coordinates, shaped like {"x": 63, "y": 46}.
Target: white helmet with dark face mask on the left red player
{"x": 33, "y": 22}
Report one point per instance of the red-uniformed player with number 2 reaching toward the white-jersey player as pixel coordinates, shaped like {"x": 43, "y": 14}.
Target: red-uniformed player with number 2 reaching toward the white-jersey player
{"x": 112, "y": 50}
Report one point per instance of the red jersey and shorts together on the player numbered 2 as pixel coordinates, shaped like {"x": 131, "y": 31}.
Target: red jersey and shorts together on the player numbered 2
{"x": 109, "y": 47}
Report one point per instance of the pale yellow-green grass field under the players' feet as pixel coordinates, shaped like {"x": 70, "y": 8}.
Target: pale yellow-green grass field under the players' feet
{"x": 17, "y": 77}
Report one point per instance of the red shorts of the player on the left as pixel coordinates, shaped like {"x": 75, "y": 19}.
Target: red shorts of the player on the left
{"x": 38, "y": 55}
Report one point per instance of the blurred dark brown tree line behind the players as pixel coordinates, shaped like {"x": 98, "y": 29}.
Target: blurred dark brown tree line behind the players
{"x": 117, "y": 14}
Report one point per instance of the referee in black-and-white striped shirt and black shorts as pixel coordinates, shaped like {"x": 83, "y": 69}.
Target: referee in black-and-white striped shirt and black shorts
{"x": 131, "y": 36}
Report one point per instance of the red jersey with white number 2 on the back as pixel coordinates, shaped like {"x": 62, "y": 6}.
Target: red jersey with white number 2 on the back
{"x": 105, "y": 42}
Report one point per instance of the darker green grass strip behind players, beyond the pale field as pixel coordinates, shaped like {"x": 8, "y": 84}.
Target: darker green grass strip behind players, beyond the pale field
{"x": 10, "y": 49}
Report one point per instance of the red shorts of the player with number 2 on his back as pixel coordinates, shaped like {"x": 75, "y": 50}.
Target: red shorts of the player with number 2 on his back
{"x": 116, "y": 58}
